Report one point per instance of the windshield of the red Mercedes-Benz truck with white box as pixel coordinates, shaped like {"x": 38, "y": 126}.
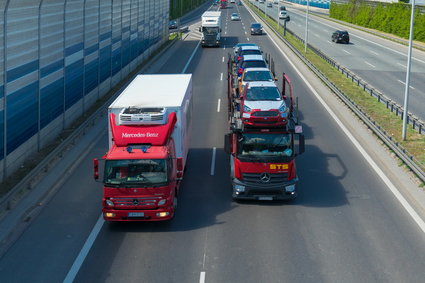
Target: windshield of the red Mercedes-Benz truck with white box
{"x": 136, "y": 173}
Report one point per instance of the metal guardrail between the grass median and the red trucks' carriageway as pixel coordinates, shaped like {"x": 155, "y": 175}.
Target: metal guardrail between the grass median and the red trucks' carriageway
{"x": 401, "y": 152}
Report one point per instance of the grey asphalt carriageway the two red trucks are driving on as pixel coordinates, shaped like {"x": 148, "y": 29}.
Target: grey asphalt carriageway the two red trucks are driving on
{"x": 345, "y": 226}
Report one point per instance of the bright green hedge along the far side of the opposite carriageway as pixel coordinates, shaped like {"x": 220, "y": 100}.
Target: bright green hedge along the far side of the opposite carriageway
{"x": 391, "y": 18}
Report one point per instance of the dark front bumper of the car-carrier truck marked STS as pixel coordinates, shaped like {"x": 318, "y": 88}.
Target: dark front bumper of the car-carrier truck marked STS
{"x": 282, "y": 191}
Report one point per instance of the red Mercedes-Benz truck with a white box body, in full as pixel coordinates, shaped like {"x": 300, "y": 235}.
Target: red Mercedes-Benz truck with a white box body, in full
{"x": 149, "y": 133}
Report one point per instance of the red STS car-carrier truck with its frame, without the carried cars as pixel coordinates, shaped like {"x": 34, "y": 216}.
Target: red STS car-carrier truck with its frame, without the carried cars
{"x": 262, "y": 158}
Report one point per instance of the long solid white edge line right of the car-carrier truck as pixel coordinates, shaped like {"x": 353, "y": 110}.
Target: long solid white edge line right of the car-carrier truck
{"x": 366, "y": 156}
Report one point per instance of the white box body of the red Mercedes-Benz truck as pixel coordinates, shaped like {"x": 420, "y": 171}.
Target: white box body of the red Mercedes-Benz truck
{"x": 149, "y": 99}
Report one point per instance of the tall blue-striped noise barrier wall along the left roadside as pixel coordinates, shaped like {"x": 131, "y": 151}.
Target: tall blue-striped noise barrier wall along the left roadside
{"x": 57, "y": 57}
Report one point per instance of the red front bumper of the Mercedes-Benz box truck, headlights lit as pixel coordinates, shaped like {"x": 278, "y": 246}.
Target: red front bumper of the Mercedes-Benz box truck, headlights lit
{"x": 160, "y": 214}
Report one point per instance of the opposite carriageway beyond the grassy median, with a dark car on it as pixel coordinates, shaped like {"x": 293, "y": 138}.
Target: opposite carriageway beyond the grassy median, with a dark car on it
{"x": 381, "y": 63}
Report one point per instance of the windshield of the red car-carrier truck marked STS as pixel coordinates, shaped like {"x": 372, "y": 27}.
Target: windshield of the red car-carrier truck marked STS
{"x": 257, "y": 145}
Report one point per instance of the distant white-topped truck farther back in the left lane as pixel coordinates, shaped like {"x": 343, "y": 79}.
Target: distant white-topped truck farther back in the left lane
{"x": 211, "y": 28}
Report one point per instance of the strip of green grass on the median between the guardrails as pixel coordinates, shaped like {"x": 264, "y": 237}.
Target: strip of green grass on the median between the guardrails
{"x": 392, "y": 124}
